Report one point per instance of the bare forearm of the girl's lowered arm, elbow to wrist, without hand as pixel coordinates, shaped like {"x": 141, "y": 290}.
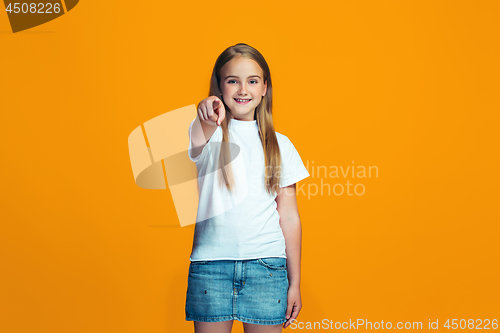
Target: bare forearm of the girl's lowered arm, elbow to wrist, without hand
{"x": 292, "y": 230}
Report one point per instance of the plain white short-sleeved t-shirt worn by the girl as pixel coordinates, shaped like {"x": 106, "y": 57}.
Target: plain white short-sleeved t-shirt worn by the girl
{"x": 243, "y": 225}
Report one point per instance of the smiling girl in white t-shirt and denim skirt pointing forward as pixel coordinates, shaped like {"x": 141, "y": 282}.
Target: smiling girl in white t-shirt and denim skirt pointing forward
{"x": 245, "y": 262}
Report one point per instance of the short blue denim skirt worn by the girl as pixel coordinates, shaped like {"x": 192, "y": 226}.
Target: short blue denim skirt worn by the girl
{"x": 252, "y": 291}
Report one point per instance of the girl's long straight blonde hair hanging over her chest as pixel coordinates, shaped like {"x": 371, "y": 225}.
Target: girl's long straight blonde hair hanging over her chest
{"x": 263, "y": 114}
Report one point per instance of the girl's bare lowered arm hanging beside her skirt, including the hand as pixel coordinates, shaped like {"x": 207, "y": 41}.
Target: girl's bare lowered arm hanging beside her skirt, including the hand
{"x": 292, "y": 231}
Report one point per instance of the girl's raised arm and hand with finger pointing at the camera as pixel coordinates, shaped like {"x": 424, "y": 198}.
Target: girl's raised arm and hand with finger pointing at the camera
{"x": 211, "y": 113}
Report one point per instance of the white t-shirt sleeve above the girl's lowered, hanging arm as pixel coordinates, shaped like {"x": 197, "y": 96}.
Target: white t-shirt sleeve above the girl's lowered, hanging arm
{"x": 293, "y": 167}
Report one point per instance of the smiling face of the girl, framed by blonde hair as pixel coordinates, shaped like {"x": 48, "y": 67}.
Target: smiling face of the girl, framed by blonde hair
{"x": 242, "y": 87}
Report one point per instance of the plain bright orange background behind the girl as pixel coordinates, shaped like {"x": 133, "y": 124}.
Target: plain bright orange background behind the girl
{"x": 410, "y": 87}
